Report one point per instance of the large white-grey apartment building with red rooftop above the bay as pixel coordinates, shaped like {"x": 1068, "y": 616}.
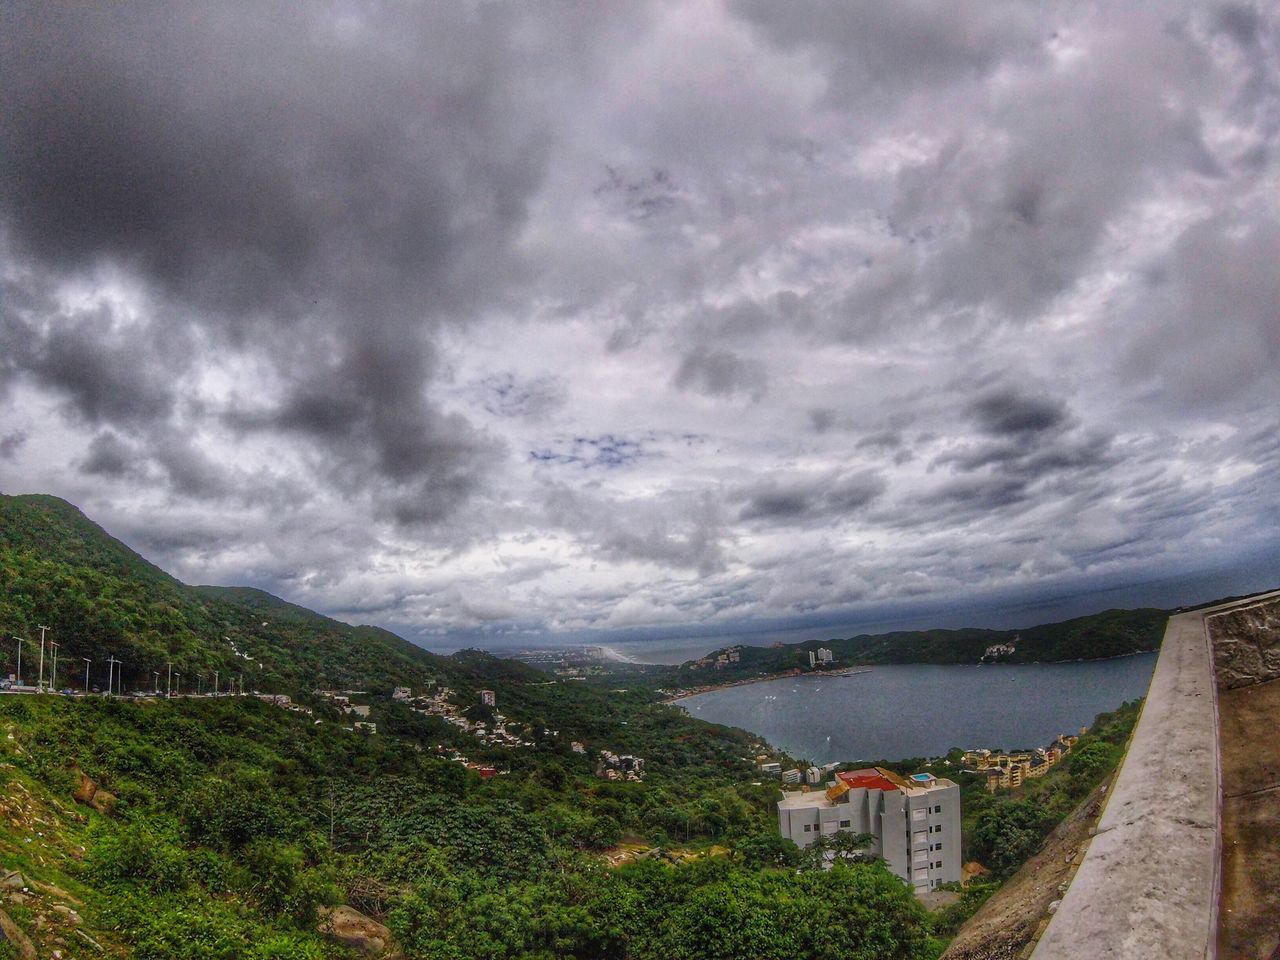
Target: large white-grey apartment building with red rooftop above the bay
{"x": 916, "y": 821}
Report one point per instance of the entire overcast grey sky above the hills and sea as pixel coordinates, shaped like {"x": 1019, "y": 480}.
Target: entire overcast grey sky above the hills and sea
{"x": 505, "y": 321}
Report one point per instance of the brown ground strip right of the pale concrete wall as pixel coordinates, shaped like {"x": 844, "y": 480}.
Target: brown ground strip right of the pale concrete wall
{"x": 1249, "y": 921}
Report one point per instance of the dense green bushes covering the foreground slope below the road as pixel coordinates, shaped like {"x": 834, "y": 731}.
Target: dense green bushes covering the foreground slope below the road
{"x": 237, "y": 820}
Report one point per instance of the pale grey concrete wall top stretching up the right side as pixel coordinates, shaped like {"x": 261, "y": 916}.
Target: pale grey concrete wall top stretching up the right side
{"x": 1149, "y": 885}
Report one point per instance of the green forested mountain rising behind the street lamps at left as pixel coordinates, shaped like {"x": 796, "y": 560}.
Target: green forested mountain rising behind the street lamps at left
{"x": 103, "y": 600}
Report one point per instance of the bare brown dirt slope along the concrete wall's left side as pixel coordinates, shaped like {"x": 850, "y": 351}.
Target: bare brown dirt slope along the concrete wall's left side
{"x": 1018, "y": 913}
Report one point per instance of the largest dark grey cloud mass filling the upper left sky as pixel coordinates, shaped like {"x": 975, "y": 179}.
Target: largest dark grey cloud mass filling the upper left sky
{"x": 294, "y": 191}
